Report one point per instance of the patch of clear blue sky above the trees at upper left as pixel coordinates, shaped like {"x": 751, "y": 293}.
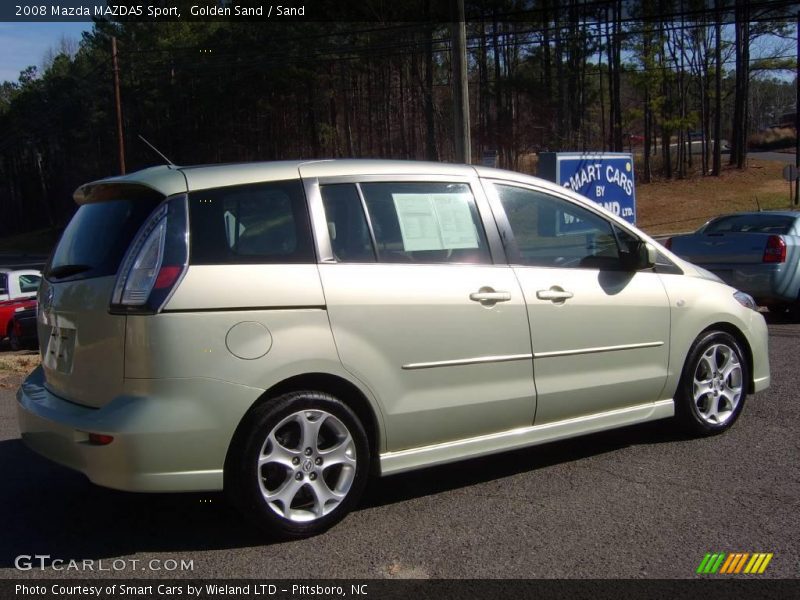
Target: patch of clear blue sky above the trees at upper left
{"x": 25, "y": 44}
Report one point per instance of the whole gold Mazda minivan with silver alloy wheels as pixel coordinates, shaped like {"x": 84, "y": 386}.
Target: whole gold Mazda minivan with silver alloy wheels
{"x": 284, "y": 330}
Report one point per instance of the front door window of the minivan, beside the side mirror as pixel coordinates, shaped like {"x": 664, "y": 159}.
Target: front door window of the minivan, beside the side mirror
{"x": 551, "y": 232}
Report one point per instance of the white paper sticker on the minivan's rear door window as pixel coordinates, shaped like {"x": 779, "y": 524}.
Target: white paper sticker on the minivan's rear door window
{"x": 435, "y": 221}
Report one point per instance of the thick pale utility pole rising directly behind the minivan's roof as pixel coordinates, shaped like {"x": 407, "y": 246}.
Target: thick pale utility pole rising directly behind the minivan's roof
{"x": 458, "y": 31}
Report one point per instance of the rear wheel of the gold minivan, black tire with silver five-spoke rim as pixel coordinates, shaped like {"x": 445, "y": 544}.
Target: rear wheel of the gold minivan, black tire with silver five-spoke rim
{"x": 298, "y": 464}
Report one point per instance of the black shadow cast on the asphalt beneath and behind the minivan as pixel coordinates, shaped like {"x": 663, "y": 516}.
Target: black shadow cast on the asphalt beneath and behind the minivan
{"x": 50, "y": 507}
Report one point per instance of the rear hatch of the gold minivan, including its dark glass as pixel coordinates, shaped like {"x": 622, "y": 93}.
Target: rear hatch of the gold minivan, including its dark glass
{"x": 82, "y": 342}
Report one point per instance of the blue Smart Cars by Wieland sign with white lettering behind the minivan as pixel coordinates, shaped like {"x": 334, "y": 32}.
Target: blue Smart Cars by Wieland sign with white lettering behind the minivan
{"x": 605, "y": 178}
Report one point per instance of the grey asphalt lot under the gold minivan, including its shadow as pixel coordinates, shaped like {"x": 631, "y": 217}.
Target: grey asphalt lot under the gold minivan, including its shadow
{"x": 642, "y": 502}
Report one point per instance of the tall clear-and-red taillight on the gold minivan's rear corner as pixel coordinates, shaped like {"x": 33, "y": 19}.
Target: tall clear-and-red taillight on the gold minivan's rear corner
{"x": 155, "y": 261}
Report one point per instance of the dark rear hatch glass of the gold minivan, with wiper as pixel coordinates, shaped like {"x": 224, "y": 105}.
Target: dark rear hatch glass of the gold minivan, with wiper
{"x": 97, "y": 237}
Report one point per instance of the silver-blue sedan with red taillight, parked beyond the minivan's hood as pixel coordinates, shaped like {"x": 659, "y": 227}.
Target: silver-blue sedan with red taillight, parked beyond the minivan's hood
{"x": 756, "y": 252}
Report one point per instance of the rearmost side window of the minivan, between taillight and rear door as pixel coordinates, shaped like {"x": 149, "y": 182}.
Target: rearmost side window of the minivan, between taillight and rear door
{"x": 262, "y": 223}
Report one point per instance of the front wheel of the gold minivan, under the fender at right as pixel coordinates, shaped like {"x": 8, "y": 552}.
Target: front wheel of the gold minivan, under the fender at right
{"x": 713, "y": 384}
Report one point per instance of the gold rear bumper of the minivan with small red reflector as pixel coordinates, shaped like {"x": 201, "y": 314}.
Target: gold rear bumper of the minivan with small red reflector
{"x": 169, "y": 435}
